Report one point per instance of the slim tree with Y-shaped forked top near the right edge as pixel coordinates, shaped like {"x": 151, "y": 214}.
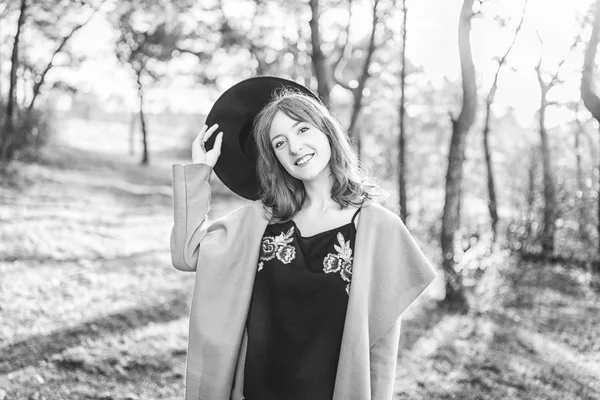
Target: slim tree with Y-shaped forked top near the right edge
{"x": 549, "y": 191}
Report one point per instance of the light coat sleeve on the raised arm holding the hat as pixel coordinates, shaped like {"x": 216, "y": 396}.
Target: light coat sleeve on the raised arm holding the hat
{"x": 191, "y": 202}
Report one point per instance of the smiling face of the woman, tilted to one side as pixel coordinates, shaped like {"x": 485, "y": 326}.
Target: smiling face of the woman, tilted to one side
{"x": 301, "y": 148}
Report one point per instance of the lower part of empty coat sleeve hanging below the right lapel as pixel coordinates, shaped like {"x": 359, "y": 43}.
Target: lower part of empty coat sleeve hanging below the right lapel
{"x": 384, "y": 357}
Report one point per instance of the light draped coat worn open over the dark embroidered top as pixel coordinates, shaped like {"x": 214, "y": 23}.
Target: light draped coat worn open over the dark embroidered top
{"x": 389, "y": 273}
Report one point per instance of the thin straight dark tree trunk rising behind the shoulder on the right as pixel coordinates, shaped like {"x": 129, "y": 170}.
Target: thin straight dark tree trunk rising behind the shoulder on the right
{"x": 402, "y": 136}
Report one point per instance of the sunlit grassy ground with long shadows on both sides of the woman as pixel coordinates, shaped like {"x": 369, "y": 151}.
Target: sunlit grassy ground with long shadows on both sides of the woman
{"x": 92, "y": 309}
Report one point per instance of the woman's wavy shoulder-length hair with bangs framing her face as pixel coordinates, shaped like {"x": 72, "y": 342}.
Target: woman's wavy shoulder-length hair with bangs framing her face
{"x": 285, "y": 194}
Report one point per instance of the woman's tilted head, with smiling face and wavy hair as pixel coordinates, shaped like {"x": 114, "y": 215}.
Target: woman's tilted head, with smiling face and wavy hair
{"x": 298, "y": 133}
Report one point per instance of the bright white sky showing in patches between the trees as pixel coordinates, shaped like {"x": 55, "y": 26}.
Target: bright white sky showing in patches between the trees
{"x": 432, "y": 45}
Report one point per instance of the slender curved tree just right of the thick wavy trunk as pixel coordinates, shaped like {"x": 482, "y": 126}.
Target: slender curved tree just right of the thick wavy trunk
{"x": 492, "y": 202}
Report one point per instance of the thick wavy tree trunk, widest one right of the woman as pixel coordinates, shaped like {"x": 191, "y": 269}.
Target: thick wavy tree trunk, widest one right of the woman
{"x": 460, "y": 129}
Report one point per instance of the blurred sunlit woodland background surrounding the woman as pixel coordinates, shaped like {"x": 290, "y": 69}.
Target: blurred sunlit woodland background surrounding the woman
{"x": 479, "y": 119}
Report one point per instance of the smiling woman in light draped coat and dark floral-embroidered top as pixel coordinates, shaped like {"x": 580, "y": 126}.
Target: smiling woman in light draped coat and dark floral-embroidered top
{"x": 299, "y": 294}
